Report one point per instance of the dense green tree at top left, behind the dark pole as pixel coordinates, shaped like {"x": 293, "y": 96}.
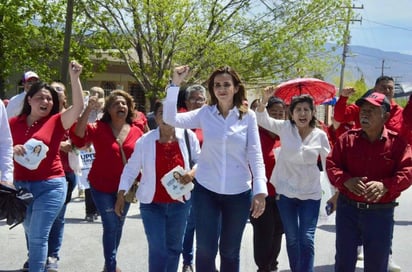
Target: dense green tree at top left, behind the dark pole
{"x": 32, "y": 36}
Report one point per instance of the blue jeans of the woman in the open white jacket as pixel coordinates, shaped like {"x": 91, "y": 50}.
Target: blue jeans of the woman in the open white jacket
{"x": 164, "y": 225}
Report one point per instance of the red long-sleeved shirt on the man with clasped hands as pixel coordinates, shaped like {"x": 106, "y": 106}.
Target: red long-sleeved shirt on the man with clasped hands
{"x": 387, "y": 160}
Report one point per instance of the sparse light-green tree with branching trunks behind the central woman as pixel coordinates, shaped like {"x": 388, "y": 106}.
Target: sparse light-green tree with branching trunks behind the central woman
{"x": 281, "y": 39}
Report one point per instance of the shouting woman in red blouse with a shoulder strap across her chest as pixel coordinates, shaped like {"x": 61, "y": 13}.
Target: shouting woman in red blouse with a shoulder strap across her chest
{"x": 111, "y": 136}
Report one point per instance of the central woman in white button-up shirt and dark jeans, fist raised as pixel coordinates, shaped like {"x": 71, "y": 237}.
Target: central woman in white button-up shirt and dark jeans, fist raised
{"x": 231, "y": 153}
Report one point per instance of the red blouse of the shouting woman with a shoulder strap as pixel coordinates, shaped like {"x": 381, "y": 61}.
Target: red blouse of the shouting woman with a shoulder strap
{"x": 104, "y": 175}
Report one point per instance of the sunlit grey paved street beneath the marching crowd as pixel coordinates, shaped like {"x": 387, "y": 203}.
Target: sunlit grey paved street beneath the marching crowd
{"x": 82, "y": 250}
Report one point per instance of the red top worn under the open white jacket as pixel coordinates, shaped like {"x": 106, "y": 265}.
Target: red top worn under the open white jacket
{"x": 168, "y": 156}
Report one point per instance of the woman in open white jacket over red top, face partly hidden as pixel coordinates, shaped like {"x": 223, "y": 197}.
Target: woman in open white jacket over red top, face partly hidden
{"x": 156, "y": 155}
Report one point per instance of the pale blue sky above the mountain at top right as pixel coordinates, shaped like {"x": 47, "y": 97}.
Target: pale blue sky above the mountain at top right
{"x": 386, "y": 25}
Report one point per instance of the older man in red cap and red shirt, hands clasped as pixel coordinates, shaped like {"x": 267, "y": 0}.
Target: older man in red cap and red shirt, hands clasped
{"x": 370, "y": 167}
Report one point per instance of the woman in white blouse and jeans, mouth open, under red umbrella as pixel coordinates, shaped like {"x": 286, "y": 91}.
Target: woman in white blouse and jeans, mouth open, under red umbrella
{"x": 296, "y": 176}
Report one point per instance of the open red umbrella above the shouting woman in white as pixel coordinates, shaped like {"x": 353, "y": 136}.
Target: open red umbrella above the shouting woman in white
{"x": 320, "y": 90}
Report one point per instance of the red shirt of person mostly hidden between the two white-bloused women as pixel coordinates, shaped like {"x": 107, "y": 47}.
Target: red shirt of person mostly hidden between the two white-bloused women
{"x": 268, "y": 144}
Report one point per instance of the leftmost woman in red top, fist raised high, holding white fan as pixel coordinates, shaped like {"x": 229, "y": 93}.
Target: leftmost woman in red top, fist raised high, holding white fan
{"x": 40, "y": 121}
